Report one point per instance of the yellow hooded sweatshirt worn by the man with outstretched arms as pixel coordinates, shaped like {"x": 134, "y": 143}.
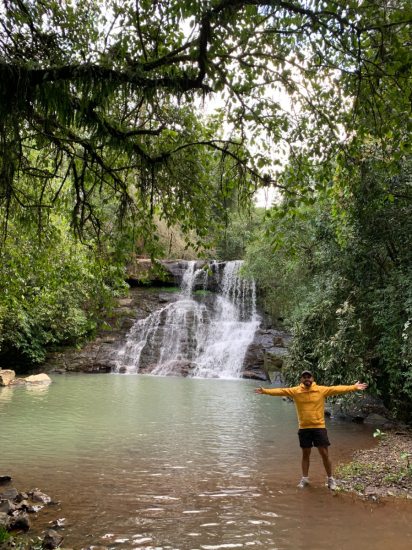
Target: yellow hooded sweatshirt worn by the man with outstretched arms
{"x": 310, "y": 402}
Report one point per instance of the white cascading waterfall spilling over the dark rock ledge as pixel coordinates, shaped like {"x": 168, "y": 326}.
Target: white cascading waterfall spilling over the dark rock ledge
{"x": 201, "y": 336}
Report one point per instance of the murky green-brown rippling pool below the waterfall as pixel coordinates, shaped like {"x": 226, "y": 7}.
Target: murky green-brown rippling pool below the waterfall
{"x": 172, "y": 463}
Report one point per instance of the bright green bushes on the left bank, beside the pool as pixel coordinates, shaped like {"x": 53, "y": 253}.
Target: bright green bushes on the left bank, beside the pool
{"x": 52, "y": 291}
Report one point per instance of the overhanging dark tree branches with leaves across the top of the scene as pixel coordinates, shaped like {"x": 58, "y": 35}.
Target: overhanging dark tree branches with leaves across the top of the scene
{"x": 100, "y": 92}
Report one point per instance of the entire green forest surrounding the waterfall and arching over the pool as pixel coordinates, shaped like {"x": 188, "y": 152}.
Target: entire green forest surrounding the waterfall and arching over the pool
{"x": 129, "y": 127}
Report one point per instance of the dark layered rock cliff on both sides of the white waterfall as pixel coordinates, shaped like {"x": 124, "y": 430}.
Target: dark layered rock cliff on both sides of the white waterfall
{"x": 265, "y": 354}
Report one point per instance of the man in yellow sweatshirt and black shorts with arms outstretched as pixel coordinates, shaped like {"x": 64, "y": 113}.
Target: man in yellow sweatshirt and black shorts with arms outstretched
{"x": 309, "y": 401}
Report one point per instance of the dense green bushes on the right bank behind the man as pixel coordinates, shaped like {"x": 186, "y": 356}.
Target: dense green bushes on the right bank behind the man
{"x": 342, "y": 280}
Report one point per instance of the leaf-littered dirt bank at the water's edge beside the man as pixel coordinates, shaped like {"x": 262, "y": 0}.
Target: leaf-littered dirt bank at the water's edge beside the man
{"x": 384, "y": 471}
